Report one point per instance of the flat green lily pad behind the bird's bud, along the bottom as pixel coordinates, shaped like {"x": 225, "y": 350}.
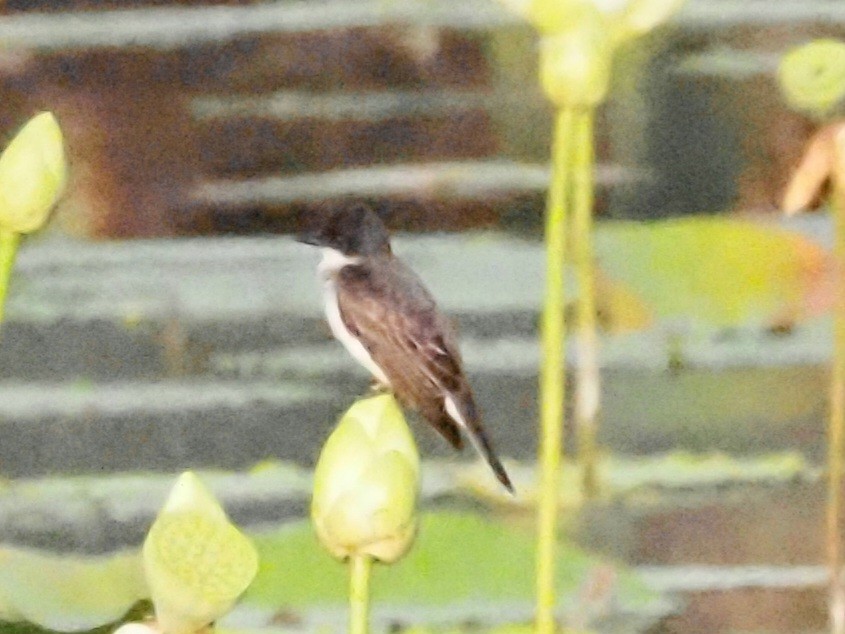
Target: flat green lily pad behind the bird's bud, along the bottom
{"x": 459, "y": 560}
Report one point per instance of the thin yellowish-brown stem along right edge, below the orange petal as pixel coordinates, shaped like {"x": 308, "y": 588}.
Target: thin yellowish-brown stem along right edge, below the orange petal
{"x": 835, "y": 428}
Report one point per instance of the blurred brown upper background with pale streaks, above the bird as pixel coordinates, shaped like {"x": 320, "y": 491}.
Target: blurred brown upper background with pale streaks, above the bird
{"x": 202, "y": 118}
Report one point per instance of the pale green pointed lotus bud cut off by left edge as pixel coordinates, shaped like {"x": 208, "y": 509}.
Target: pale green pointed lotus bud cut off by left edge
{"x": 32, "y": 175}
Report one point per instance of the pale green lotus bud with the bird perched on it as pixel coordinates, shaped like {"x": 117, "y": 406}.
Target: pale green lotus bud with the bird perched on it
{"x": 366, "y": 483}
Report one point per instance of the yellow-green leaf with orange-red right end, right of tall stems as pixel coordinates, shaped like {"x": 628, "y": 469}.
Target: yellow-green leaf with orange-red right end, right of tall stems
{"x": 717, "y": 271}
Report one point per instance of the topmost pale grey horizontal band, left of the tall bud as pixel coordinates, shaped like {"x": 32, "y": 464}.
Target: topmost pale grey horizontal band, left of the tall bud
{"x": 176, "y": 27}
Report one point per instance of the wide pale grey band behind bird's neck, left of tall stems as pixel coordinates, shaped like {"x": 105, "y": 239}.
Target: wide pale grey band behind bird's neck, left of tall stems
{"x": 204, "y": 281}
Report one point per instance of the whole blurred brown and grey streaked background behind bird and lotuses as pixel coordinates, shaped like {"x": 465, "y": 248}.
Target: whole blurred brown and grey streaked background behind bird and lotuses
{"x": 166, "y": 319}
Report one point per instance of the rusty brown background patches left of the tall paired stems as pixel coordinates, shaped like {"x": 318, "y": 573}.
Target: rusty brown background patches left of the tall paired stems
{"x": 137, "y": 150}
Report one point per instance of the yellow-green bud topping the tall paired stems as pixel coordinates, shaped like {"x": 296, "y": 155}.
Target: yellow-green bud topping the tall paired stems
{"x": 575, "y": 65}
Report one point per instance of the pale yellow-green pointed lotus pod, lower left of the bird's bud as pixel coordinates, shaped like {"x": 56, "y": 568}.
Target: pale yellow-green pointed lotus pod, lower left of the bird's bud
{"x": 197, "y": 563}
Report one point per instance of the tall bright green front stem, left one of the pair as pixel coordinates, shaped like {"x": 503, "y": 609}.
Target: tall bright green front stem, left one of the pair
{"x": 552, "y": 372}
